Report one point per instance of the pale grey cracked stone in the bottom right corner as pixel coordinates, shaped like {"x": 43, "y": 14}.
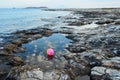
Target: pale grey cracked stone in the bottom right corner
{"x": 98, "y": 73}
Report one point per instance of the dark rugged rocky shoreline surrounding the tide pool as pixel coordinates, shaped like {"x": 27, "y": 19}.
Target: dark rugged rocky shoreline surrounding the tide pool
{"x": 93, "y": 55}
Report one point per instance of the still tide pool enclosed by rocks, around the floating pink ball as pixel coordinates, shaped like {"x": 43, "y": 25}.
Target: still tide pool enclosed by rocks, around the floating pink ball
{"x": 36, "y": 51}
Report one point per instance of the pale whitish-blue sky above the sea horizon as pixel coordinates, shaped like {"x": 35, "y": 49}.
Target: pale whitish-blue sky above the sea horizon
{"x": 60, "y": 3}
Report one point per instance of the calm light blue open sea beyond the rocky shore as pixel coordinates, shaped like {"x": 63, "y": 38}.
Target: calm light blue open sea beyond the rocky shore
{"x": 20, "y": 19}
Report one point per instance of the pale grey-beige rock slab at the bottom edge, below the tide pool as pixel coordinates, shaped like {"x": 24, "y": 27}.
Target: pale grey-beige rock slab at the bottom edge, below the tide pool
{"x": 37, "y": 74}
